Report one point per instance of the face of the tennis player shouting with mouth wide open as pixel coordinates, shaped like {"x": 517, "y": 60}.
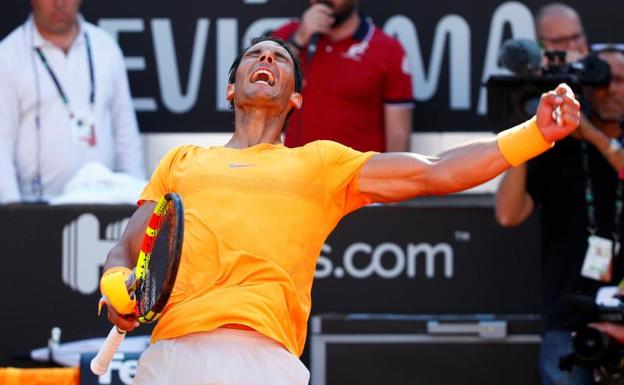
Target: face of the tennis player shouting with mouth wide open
{"x": 265, "y": 76}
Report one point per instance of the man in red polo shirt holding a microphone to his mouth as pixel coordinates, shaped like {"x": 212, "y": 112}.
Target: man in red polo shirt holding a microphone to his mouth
{"x": 357, "y": 86}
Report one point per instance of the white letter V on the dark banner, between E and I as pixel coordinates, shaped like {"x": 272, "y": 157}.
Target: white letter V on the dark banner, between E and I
{"x": 167, "y": 65}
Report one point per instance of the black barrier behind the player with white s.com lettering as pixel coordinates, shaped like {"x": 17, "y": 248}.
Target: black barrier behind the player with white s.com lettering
{"x": 437, "y": 256}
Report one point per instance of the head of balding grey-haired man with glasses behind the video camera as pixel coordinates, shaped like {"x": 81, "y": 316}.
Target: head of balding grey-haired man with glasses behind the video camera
{"x": 559, "y": 28}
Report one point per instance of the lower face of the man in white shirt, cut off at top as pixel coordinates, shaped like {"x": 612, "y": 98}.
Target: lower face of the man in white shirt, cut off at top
{"x": 55, "y": 16}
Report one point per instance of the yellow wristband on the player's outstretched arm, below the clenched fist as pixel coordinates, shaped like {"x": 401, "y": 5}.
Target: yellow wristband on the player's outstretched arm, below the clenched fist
{"x": 523, "y": 142}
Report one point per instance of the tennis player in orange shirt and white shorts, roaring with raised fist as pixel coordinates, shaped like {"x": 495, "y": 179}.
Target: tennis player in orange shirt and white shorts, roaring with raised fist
{"x": 257, "y": 214}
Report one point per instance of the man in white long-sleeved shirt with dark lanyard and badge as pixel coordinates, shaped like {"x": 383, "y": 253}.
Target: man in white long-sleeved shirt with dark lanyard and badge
{"x": 64, "y": 101}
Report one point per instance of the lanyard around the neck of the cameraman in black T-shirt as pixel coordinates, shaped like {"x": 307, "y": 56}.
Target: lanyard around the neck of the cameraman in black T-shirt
{"x": 591, "y": 208}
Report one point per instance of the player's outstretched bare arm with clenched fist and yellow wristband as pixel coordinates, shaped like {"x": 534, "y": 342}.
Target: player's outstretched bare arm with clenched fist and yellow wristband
{"x": 391, "y": 177}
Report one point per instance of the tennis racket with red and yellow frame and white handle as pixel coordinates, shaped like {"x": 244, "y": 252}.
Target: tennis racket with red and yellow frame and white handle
{"x": 154, "y": 275}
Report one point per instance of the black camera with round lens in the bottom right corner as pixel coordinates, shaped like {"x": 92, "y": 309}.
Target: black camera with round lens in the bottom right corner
{"x": 591, "y": 348}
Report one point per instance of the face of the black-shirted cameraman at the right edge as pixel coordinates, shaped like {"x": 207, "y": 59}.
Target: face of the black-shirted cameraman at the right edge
{"x": 608, "y": 102}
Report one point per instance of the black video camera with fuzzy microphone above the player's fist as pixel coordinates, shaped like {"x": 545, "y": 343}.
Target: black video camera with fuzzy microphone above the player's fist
{"x": 513, "y": 99}
